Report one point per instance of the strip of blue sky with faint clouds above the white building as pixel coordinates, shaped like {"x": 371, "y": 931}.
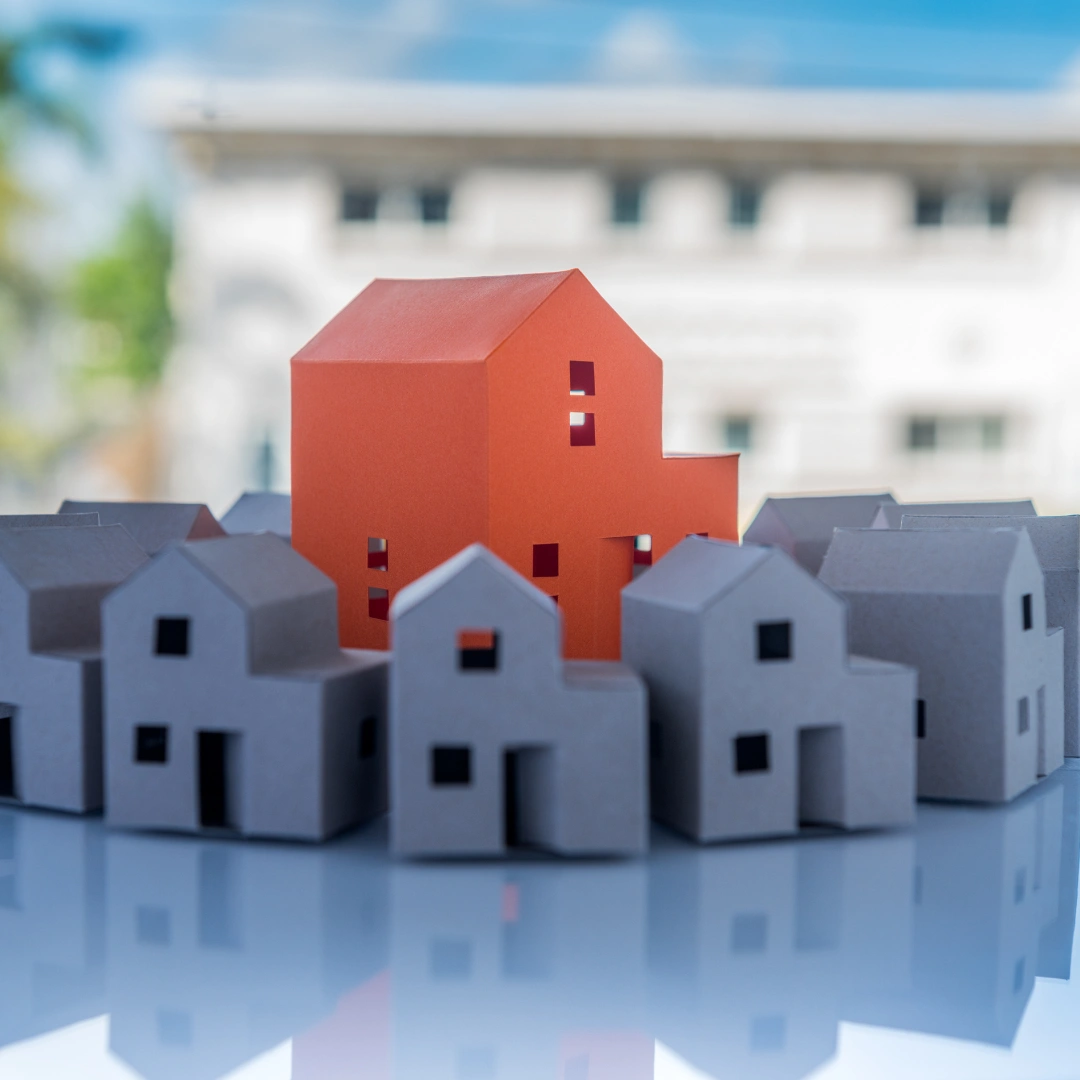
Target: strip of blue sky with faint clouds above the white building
{"x": 950, "y": 44}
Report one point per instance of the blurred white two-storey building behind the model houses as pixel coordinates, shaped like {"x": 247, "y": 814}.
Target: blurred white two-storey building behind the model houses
{"x": 855, "y": 290}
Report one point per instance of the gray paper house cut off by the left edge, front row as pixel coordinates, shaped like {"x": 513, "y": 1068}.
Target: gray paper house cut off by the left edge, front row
{"x": 52, "y": 584}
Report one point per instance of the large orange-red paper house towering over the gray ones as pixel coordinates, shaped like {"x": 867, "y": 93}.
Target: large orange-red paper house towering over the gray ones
{"x": 522, "y": 413}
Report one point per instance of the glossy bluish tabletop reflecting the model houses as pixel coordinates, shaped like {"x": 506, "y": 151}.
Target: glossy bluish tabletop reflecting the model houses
{"x": 832, "y": 956}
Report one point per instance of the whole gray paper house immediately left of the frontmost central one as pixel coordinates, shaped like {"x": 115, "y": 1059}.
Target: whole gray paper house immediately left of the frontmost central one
{"x": 229, "y": 704}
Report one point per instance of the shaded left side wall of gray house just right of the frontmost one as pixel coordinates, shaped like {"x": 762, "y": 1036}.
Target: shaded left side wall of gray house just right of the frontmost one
{"x": 664, "y": 645}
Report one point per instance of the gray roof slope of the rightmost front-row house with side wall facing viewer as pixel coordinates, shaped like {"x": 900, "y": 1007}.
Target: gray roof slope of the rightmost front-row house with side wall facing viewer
{"x": 923, "y": 561}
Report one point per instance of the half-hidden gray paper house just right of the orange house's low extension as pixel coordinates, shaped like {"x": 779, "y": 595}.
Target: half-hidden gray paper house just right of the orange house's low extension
{"x": 803, "y": 525}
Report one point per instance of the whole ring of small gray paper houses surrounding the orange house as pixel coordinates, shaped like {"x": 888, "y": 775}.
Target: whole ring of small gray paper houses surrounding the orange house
{"x": 852, "y": 655}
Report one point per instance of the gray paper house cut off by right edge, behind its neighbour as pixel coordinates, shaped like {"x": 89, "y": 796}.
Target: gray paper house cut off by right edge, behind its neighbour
{"x": 1057, "y": 543}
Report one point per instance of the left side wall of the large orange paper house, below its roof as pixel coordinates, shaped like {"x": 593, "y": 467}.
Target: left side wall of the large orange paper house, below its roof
{"x": 387, "y": 452}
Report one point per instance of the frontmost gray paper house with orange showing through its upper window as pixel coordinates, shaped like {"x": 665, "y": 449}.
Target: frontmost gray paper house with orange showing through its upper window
{"x": 496, "y": 740}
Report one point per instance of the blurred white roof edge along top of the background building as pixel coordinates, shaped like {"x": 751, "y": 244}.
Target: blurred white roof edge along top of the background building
{"x": 308, "y": 106}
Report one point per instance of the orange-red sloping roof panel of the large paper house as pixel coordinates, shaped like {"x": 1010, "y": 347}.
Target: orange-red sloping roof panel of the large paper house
{"x": 450, "y": 319}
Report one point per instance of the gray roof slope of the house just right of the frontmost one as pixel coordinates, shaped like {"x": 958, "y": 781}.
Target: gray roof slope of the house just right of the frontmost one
{"x": 696, "y": 572}
